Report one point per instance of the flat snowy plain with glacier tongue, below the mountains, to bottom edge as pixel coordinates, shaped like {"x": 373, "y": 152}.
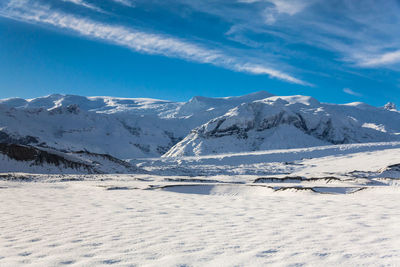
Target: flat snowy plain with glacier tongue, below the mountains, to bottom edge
{"x": 329, "y": 205}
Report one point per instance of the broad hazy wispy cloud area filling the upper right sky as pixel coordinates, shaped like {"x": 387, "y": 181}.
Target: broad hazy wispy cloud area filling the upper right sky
{"x": 362, "y": 34}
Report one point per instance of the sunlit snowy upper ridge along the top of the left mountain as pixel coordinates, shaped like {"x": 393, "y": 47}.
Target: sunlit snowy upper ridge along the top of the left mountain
{"x": 137, "y": 106}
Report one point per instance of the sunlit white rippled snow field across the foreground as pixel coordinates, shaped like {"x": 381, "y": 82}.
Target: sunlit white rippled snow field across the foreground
{"x": 79, "y": 223}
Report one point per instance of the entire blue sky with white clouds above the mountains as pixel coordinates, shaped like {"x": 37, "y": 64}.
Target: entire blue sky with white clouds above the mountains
{"x": 337, "y": 51}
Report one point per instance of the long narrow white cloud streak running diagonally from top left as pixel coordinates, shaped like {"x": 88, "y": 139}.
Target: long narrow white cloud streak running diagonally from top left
{"x": 138, "y": 40}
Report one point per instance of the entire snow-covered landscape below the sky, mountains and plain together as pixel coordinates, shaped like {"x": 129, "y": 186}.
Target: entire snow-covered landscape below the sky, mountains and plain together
{"x": 242, "y": 181}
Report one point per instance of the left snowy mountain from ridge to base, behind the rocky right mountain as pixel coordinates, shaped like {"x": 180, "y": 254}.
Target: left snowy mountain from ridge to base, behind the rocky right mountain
{"x": 121, "y": 127}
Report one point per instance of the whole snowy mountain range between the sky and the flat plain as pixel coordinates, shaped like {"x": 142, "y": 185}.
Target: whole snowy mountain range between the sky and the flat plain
{"x": 142, "y": 128}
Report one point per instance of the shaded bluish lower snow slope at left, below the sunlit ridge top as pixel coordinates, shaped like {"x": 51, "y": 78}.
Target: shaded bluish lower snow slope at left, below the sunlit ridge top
{"x": 69, "y": 128}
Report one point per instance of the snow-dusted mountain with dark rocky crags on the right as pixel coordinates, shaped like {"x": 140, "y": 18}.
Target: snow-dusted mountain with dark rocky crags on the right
{"x": 289, "y": 122}
